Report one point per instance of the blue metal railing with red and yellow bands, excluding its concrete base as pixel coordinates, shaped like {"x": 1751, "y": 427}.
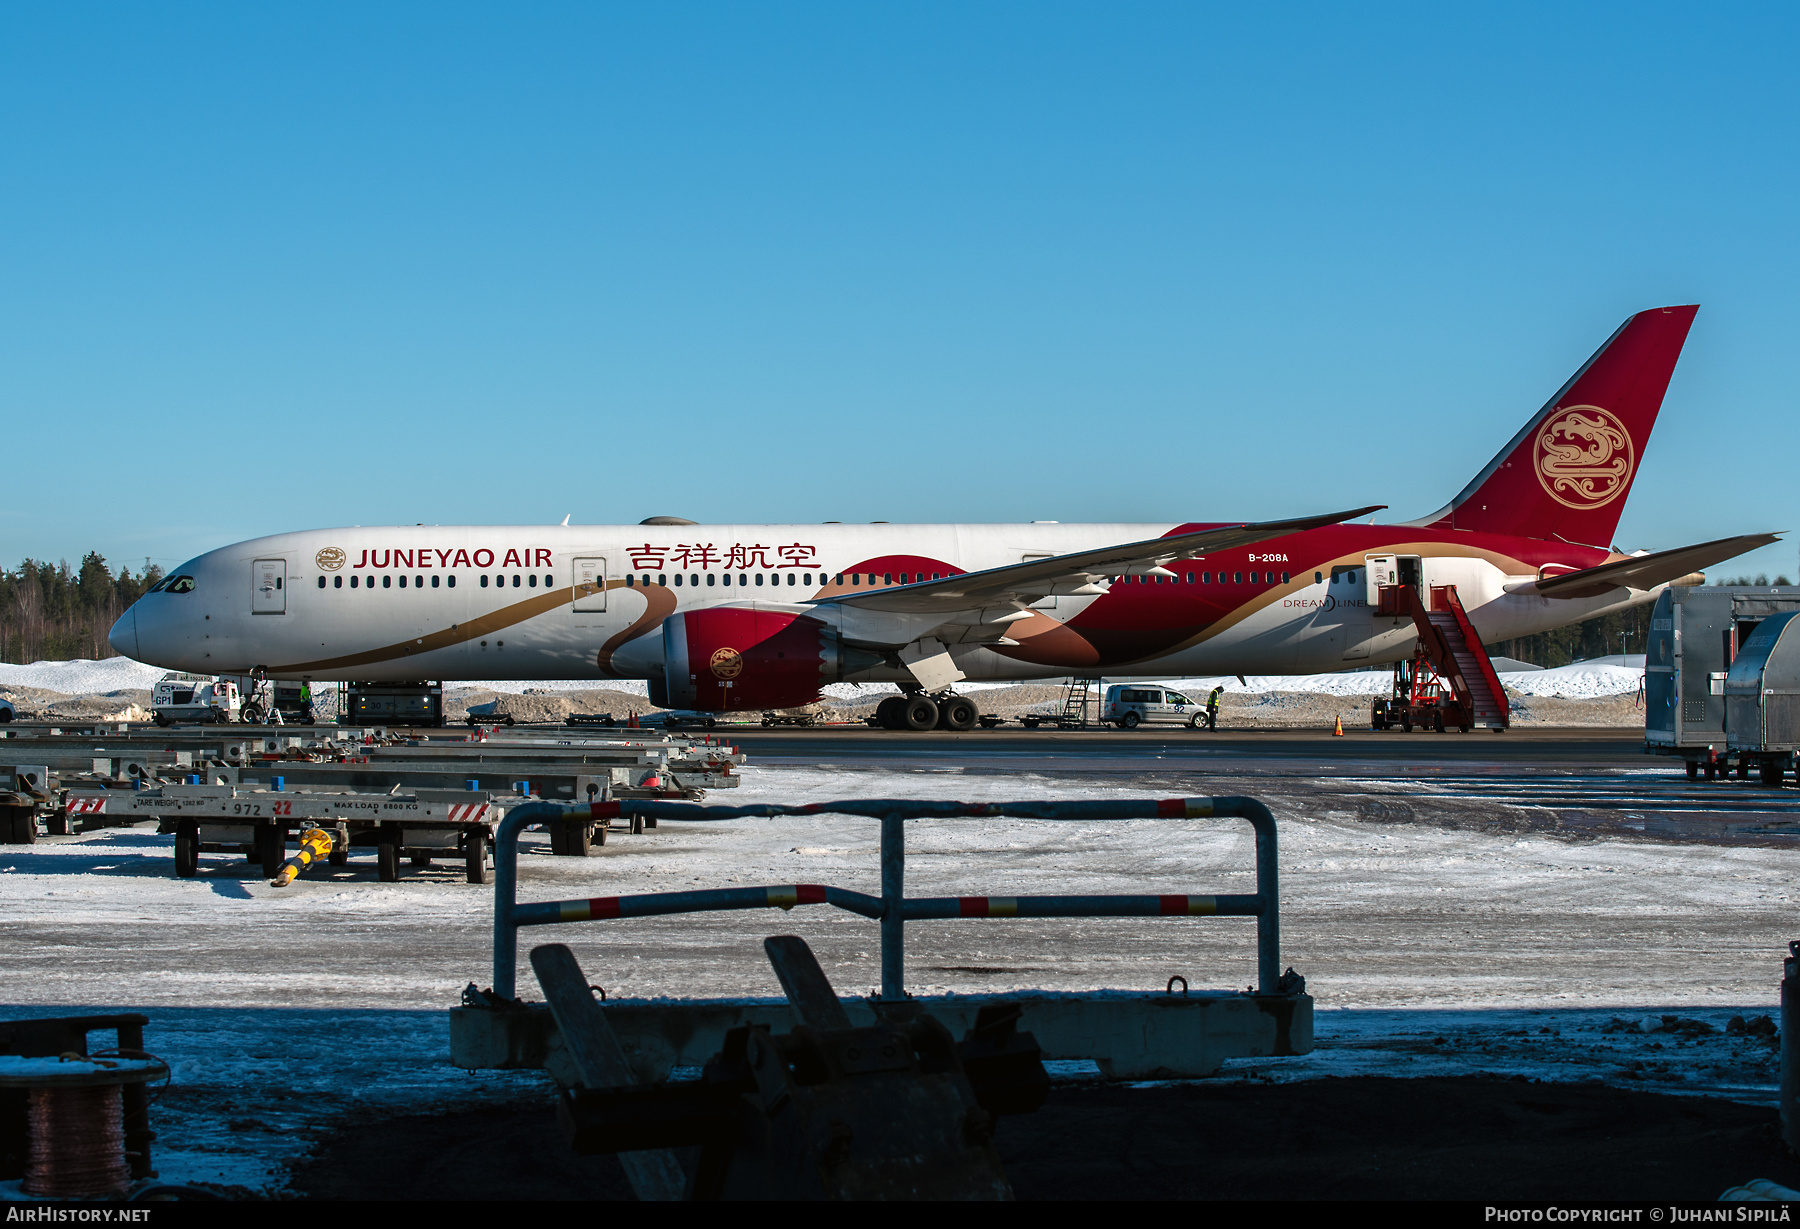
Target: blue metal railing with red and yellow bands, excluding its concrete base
{"x": 894, "y": 910}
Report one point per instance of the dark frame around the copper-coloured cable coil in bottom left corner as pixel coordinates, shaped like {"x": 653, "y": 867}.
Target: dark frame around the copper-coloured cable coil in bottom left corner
{"x": 69, "y": 1036}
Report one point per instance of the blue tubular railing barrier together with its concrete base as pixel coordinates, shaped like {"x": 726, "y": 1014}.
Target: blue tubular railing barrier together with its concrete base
{"x": 1129, "y": 1036}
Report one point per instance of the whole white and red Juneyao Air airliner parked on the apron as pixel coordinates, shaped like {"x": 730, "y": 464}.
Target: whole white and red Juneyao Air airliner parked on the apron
{"x": 750, "y": 618}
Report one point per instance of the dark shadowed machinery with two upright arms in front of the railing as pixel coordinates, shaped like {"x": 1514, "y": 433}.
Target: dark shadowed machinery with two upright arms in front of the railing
{"x": 890, "y": 1111}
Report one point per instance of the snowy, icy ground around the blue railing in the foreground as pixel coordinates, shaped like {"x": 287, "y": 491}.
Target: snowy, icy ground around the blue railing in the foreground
{"x": 1428, "y": 951}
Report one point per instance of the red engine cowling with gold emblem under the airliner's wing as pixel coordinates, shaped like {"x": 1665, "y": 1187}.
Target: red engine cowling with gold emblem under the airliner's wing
{"x": 728, "y": 659}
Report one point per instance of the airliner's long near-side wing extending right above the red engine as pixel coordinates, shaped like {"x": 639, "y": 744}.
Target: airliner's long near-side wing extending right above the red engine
{"x": 1074, "y": 573}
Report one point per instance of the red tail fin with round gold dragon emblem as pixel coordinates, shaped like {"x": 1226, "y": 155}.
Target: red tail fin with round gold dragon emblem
{"x": 1569, "y": 472}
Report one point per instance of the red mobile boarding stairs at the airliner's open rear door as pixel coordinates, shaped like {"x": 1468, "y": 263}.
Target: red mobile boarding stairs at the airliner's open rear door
{"x": 1450, "y": 679}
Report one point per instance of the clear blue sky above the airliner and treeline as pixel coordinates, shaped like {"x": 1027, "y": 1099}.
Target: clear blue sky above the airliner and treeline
{"x": 269, "y": 269}
